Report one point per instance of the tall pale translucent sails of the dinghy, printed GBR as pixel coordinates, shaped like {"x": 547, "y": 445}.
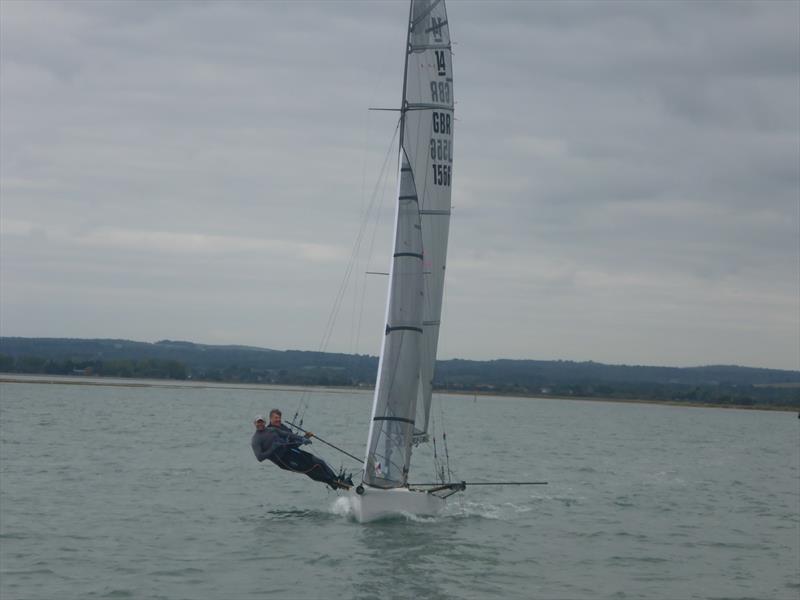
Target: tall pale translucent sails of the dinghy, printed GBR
{"x": 401, "y": 407}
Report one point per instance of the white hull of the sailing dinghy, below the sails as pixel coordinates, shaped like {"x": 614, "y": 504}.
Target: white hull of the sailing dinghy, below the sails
{"x": 376, "y": 503}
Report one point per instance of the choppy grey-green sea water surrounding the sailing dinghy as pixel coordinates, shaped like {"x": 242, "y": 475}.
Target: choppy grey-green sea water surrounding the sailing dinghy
{"x": 153, "y": 492}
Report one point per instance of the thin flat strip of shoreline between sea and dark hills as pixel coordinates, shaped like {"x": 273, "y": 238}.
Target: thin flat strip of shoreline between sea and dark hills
{"x": 196, "y": 384}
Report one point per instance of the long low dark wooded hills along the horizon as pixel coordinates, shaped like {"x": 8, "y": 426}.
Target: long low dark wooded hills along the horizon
{"x": 727, "y": 385}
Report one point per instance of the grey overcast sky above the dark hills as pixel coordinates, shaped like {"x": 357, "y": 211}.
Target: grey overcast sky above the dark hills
{"x": 626, "y": 176}
